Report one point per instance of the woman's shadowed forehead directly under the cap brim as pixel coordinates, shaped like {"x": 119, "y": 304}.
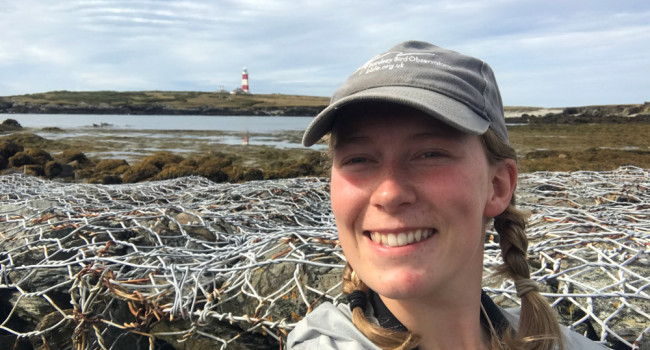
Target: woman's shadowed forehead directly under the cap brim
{"x": 364, "y": 120}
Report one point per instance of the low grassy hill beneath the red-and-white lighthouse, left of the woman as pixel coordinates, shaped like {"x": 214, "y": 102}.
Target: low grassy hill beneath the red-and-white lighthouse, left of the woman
{"x": 162, "y": 102}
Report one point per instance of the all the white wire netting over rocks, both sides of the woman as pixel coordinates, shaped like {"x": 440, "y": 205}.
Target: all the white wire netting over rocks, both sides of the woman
{"x": 189, "y": 260}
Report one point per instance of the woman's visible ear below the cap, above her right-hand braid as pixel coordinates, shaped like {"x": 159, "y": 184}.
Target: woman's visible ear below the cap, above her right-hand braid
{"x": 503, "y": 180}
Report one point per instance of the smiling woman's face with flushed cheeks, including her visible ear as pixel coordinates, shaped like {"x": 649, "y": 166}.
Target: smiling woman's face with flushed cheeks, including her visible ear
{"x": 410, "y": 197}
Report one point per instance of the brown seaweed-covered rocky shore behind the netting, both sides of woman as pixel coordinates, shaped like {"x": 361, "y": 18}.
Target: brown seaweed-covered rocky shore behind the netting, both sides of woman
{"x": 91, "y": 158}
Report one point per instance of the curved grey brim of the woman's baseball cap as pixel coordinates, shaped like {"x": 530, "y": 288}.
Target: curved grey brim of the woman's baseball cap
{"x": 439, "y": 106}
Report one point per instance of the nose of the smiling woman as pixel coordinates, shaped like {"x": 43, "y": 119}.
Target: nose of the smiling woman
{"x": 393, "y": 189}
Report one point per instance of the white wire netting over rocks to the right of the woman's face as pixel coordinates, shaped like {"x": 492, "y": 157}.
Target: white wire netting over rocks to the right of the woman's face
{"x": 590, "y": 247}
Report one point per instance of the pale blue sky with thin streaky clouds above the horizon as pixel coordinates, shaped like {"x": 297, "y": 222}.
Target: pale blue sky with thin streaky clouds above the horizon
{"x": 552, "y": 53}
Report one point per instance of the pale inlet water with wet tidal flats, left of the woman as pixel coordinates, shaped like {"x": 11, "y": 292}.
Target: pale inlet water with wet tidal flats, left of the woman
{"x": 132, "y": 136}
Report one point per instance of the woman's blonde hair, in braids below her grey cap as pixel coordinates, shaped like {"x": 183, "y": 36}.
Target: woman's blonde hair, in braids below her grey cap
{"x": 538, "y": 326}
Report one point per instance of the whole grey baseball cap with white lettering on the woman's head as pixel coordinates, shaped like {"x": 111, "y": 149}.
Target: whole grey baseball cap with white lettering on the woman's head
{"x": 459, "y": 90}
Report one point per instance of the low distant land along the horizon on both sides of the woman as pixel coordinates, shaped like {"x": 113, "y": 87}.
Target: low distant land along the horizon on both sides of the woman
{"x": 220, "y": 103}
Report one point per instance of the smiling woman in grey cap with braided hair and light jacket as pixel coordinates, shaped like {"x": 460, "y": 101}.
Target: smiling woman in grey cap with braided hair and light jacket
{"x": 420, "y": 165}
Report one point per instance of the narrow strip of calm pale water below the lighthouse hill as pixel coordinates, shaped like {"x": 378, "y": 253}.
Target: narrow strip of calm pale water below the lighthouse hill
{"x": 162, "y": 122}
